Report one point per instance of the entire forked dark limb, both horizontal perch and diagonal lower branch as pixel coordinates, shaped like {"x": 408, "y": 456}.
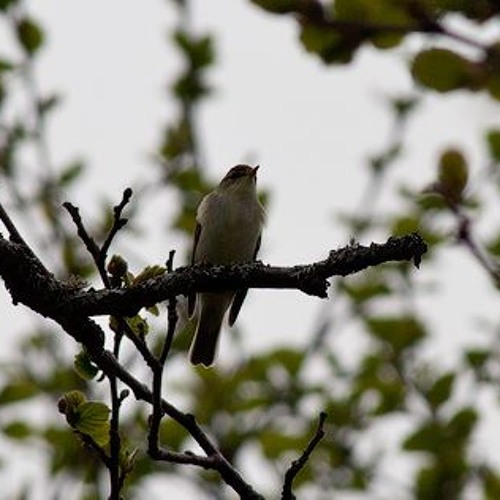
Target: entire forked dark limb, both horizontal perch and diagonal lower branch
{"x": 30, "y": 283}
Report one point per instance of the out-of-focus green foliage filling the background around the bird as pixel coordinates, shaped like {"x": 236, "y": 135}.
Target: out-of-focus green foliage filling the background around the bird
{"x": 269, "y": 402}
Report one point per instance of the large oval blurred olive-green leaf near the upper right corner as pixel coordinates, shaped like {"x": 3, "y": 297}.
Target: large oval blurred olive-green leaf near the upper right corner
{"x": 441, "y": 70}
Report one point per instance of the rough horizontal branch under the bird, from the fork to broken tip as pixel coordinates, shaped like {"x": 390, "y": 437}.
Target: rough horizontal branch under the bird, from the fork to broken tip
{"x": 309, "y": 278}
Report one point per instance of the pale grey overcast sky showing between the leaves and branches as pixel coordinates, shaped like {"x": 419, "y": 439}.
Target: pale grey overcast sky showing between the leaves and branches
{"x": 309, "y": 127}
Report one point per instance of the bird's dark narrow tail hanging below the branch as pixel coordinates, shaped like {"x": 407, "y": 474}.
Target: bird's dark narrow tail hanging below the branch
{"x": 212, "y": 308}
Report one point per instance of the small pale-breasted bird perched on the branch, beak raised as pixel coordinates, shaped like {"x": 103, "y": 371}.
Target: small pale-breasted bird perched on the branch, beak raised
{"x": 228, "y": 231}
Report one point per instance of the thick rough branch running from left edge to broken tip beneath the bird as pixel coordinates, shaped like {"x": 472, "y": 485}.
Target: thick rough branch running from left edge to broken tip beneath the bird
{"x": 29, "y": 282}
